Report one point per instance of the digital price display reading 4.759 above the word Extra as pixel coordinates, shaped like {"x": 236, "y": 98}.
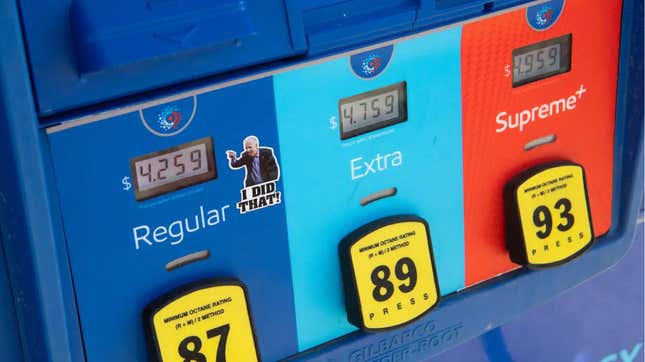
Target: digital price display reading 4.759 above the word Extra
{"x": 373, "y": 110}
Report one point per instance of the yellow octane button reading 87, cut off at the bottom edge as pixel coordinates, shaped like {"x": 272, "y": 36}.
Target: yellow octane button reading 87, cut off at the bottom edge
{"x": 205, "y": 322}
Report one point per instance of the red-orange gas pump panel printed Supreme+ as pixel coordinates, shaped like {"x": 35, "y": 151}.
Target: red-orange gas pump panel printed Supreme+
{"x": 551, "y": 103}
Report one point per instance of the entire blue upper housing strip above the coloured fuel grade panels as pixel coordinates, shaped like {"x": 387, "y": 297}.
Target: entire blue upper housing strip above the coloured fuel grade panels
{"x": 85, "y": 53}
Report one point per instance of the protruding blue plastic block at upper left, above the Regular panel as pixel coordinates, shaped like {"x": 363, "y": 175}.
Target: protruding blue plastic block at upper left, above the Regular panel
{"x": 108, "y": 34}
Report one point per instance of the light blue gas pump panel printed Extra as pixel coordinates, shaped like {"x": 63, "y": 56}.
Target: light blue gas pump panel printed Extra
{"x": 322, "y": 199}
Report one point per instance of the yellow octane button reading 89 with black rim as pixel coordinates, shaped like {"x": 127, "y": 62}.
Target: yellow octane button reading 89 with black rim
{"x": 389, "y": 273}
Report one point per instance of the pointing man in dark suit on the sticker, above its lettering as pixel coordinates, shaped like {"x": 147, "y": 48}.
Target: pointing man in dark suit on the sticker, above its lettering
{"x": 260, "y": 162}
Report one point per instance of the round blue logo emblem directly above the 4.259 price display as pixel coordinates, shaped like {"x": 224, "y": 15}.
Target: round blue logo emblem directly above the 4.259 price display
{"x": 169, "y": 119}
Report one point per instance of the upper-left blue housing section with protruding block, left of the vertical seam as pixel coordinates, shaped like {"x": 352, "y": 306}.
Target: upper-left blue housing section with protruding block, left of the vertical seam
{"x": 102, "y": 50}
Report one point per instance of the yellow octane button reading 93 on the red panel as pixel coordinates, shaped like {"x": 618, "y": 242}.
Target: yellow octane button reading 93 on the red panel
{"x": 548, "y": 220}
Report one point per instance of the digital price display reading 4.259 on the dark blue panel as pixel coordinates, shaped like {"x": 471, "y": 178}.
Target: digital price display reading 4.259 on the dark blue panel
{"x": 174, "y": 168}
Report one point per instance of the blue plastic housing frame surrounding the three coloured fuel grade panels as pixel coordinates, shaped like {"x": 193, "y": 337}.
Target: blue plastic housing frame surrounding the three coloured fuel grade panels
{"x": 38, "y": 50}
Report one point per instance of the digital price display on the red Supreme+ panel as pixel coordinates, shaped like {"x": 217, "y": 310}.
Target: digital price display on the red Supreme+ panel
{"x": 542, "y": 60}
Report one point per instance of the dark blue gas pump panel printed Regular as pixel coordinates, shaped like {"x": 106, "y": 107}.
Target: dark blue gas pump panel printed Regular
{"x": 115, "y": 276}
